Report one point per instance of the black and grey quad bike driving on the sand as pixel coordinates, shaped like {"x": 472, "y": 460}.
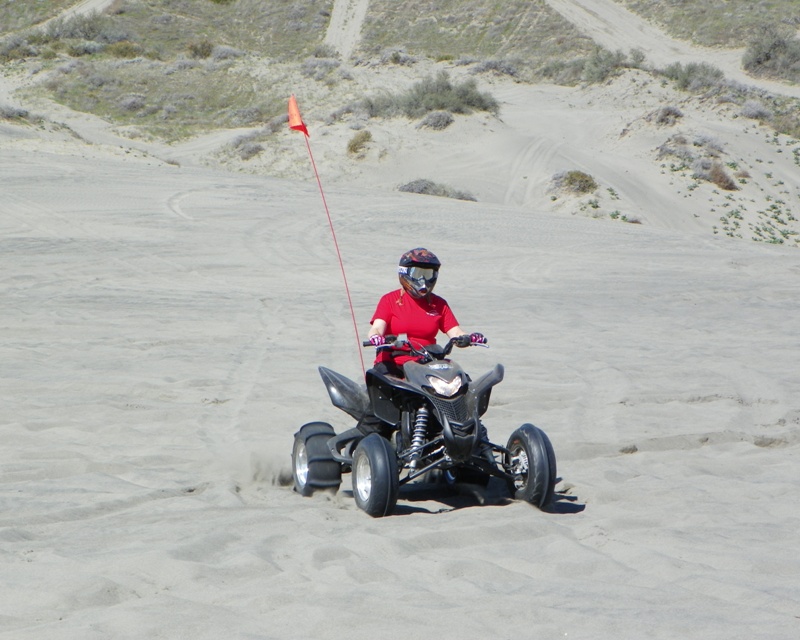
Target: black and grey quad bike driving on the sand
{"x": 433, "y": 429}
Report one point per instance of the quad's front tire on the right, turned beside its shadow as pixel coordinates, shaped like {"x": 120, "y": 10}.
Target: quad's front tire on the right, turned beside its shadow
{"x": 532, "y": 462}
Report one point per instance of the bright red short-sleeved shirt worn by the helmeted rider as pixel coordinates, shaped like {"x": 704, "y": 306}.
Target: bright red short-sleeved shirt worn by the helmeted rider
{"x": 421, "y": 319}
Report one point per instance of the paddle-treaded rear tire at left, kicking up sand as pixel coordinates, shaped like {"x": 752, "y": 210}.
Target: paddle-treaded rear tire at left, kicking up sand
{"x": 313, "y": 465}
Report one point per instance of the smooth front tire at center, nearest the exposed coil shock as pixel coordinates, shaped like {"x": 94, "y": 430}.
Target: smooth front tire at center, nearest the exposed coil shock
{"x": 375, "y": 476}
